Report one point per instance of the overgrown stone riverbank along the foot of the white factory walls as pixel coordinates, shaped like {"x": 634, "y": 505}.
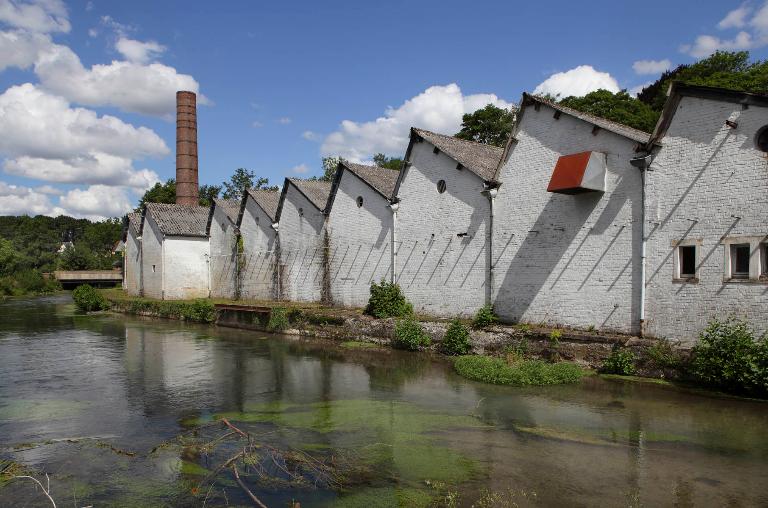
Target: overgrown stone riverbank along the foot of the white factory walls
{"x": 651, "y": 358}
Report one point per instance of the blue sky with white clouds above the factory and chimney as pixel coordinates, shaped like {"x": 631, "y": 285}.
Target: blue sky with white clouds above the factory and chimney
{"x": 86, "y": 109}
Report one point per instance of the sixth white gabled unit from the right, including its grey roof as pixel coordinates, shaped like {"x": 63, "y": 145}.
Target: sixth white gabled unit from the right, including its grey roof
{"x": 258, "y": 230}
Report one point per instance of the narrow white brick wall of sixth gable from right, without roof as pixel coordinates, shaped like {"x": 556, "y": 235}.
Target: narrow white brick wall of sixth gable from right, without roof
{"x": 259, "y": 242}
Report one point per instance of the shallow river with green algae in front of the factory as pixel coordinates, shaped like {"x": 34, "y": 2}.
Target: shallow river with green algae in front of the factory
{"x": 108, "y": 406}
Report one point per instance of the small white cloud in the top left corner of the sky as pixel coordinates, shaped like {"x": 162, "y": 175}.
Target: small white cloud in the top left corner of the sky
{"x": 41, "y": 16}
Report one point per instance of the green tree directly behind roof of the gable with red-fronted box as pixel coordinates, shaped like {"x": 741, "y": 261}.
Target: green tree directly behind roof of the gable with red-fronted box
{"x": 618, "y": 107}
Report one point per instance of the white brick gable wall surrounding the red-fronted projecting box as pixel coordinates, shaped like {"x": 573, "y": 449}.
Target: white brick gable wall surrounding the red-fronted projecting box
{"x": 567, "y": 260}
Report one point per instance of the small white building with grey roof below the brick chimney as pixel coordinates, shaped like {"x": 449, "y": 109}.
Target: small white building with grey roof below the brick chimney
{"x": 175, "y": 251}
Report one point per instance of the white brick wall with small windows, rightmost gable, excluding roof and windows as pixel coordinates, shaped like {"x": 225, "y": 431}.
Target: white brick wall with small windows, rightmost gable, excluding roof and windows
{"x": 704, "y": 177}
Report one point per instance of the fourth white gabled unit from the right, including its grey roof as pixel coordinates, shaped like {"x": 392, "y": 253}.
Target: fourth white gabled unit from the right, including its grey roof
{"x": 360, "y": 231}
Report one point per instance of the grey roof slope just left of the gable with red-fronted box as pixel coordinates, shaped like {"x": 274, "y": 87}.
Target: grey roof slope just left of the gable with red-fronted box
{"x": 480, "y": 158}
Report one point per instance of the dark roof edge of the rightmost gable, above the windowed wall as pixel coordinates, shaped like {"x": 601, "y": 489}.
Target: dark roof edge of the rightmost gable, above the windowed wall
{"x": 678, "y": 90}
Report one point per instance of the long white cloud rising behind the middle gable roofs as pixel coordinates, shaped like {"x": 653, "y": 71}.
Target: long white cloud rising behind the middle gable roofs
{"x": 438, "y": 108}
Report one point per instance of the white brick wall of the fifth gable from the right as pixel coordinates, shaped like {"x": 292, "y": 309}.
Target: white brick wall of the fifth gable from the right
{"x": 301, "y": 248}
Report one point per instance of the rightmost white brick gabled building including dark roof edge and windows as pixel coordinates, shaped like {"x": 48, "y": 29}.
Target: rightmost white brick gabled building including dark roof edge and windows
{"x": 706, "y": 212}
